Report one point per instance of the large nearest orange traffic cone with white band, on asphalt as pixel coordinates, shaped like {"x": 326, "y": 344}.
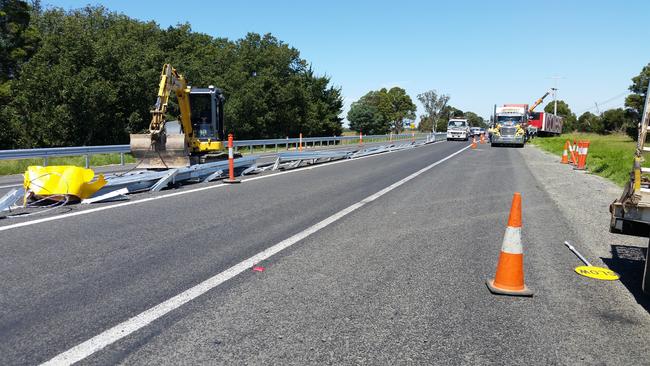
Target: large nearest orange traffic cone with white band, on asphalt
{"x": 509, "y": 278}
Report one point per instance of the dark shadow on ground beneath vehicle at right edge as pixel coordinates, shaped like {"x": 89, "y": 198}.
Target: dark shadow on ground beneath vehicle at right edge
{"x": 629, "y": 263}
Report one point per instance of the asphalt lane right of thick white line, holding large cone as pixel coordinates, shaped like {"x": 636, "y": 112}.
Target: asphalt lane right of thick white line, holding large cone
{"x": 402, "y": 281}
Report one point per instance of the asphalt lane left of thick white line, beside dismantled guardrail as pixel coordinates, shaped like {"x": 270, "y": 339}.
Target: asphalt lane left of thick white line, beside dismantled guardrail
{"x": 67, "y": 280}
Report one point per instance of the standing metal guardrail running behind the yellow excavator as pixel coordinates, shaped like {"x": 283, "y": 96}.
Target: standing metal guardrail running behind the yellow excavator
{"x": 87, "y": 151}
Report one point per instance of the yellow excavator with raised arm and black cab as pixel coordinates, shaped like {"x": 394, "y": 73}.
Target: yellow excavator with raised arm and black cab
{"x": 198, "y": 135}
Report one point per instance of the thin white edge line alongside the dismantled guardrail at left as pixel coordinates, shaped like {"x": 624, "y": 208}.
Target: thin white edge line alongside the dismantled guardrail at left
{"x": 144, "y": 200}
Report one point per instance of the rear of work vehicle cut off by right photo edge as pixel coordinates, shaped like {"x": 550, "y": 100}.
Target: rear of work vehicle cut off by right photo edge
{"x": 630, "y": 214}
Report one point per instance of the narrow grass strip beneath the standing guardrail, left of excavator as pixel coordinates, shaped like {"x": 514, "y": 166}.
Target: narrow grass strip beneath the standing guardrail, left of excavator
{"x": 20, "y": 166}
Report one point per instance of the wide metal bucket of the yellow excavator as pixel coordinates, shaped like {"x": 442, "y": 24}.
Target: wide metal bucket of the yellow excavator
{"x": 169, "y": 151}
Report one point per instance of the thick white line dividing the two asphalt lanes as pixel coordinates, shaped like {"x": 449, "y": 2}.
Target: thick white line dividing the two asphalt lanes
{"x": 112, "y": 335}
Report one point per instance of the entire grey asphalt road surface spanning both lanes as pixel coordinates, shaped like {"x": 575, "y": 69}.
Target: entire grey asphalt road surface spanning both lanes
{"x": 391, "y": 270}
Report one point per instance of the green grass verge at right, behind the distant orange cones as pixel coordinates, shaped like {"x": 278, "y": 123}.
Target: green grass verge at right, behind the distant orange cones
{"x": 609, "y": 156}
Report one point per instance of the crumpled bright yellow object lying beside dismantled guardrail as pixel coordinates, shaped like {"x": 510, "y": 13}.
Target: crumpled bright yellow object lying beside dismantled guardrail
{"x": 62, "y": 180}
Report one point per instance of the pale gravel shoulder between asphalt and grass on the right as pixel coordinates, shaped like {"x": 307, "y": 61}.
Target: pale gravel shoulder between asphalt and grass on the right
{"x": 583, "y": 199}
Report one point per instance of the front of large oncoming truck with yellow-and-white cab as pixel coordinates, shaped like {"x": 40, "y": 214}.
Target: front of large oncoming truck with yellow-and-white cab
{"x": 510, "y": 125}
